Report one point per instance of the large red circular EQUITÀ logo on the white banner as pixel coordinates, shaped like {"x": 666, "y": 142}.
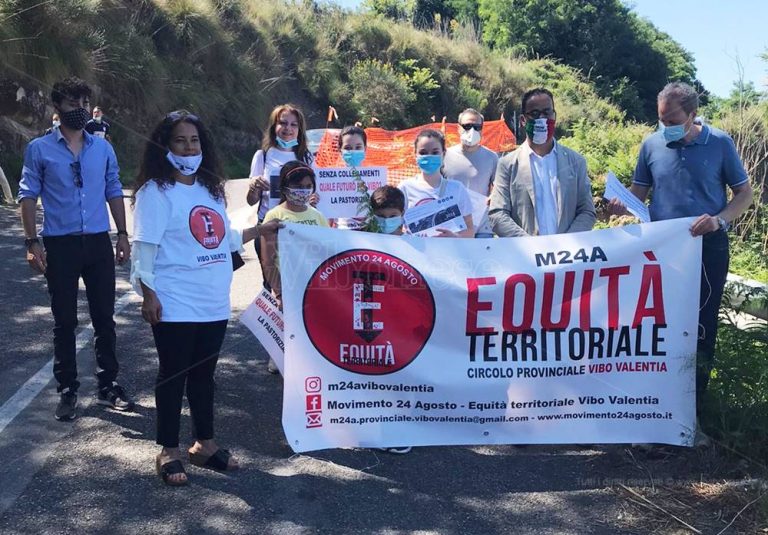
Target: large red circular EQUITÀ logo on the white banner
{"x": 368, "y": 312}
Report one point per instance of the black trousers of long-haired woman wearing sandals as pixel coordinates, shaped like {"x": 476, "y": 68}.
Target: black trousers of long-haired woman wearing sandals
{"x": 188, "y": 353}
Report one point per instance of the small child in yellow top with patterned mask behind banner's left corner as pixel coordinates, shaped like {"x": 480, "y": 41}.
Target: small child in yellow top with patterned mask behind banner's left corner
{"x": 297, "y": 185}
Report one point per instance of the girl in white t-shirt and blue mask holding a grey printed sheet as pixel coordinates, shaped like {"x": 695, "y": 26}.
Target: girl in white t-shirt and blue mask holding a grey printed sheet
{"x": 430, "y": 184}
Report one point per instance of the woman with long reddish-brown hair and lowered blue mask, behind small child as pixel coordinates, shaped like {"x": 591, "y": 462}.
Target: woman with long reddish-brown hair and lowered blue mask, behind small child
{"x": 285, "y": 140}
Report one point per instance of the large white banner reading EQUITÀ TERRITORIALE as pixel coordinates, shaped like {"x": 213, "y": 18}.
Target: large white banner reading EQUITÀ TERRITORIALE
{"x": 406, "y": 341}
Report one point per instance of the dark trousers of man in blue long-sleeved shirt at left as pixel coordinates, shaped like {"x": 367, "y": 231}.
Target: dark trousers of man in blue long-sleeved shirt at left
{"x": 91, "y": 257}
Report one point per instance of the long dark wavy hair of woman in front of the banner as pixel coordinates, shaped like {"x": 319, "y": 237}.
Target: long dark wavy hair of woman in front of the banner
{"x": 155, "y": 166}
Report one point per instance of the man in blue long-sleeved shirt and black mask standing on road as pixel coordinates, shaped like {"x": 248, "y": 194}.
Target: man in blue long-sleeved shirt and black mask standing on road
{"x": 74, "y": 173}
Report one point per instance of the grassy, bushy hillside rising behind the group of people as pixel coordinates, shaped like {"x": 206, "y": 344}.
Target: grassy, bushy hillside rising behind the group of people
{"x": 232, "y": 60}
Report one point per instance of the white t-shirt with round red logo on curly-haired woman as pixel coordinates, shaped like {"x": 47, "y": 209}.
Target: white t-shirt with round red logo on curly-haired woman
{"x": 193, "y": 267}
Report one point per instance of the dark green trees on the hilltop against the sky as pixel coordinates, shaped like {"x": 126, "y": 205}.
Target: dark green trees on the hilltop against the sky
{"x": 634, "y": 60}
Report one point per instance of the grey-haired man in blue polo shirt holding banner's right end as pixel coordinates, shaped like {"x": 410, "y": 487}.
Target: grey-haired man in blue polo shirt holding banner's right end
{"x": 688, "y": 166}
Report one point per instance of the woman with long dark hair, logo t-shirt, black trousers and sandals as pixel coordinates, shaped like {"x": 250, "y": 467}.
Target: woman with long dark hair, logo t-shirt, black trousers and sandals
{"x": 182, "y": 266}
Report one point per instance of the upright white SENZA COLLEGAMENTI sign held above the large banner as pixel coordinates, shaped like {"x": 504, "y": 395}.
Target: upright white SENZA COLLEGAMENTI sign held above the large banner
{"x": 340, "y": 196}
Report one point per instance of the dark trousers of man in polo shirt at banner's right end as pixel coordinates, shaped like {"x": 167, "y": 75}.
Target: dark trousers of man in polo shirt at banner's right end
{"x": 715, "y": 258}
